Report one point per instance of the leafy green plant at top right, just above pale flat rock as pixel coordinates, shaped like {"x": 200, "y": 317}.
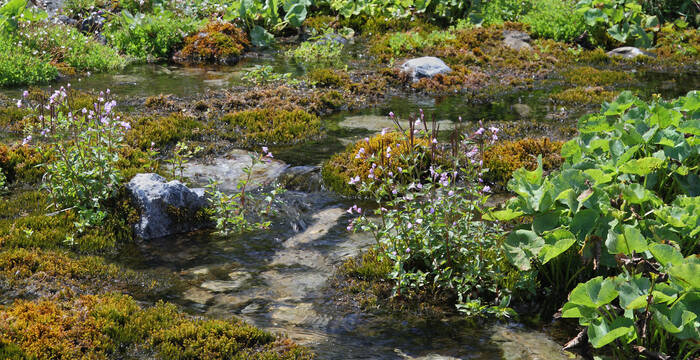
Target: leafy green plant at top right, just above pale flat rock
{"x": 623, "y": 20}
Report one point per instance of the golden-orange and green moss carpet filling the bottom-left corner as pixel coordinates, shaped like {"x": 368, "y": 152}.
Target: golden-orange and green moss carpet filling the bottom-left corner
{"x": 98, "y": 326}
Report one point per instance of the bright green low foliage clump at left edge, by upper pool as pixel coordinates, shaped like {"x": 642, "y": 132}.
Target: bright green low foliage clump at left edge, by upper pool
{"x": 18, "y": 66}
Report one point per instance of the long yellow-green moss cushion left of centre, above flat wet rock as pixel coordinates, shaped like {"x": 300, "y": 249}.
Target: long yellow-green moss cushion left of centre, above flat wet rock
{"x": 270, "y": 127}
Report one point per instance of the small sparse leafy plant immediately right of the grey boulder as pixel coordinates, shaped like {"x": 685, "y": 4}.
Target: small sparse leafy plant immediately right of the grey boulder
{"x": 232, "y": 213}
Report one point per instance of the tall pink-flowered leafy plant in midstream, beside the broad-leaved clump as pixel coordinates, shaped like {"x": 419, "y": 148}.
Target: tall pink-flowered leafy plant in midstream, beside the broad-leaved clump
{"x": 431, "y": 228}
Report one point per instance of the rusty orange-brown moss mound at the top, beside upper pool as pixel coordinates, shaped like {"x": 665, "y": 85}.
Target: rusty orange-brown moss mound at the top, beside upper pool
{"x": 217, "y": 42}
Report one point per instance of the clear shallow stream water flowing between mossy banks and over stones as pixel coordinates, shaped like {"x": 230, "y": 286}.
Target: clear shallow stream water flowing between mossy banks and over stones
{"x": 278, "y": 279}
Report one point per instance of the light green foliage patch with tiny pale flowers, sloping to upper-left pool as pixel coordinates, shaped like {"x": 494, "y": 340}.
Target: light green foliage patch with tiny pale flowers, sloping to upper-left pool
{"x": 69, "y": 46}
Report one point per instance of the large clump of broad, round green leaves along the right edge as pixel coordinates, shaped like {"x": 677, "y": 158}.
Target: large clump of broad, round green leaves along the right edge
{"x": 625, "y": 204}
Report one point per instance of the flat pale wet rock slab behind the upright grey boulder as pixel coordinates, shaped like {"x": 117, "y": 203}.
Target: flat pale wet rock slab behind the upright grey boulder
{"x": 228, "y": 171}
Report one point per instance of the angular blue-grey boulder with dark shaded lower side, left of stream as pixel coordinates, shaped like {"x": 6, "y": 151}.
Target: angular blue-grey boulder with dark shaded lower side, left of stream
{"x": 162, "y": 205}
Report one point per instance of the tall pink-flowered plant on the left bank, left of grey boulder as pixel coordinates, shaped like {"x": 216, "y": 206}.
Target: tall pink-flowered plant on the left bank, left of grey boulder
{"x": 80, "y": 152}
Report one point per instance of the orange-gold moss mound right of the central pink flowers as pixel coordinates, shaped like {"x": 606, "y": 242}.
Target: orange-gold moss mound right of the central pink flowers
{"x": 506, "y": 157}
